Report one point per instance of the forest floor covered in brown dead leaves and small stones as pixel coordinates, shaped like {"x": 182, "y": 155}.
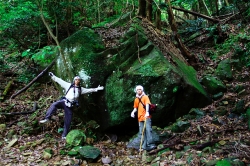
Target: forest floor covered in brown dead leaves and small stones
{"x": 230, "y": 135}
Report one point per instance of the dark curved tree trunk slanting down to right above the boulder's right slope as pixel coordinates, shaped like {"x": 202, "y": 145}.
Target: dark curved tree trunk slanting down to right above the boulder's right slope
{"x": 173, "y": 25}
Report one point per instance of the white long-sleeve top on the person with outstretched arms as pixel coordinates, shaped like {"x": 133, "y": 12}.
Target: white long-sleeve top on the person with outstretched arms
{"x": 71, "y": 96}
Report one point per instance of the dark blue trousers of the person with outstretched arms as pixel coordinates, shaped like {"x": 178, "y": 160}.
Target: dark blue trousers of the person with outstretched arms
{"x": 67, "y": 114}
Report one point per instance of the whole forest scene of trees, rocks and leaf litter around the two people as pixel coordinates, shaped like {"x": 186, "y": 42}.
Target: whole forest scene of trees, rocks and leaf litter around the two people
{"x": 210, "y": 39}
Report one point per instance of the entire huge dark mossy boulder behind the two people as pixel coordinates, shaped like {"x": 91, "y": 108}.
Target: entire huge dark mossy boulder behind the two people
{"x": 171, "y": 84}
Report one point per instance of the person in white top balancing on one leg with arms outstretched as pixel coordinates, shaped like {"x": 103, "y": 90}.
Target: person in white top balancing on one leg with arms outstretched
{"x": 72, "y": 93}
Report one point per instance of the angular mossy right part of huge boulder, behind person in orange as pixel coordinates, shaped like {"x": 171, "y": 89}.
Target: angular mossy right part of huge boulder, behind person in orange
{"x": 165, "y": 84}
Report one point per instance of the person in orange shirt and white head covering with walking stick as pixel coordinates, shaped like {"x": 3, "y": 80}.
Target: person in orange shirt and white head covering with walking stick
{"x": 140, "y": 101}
